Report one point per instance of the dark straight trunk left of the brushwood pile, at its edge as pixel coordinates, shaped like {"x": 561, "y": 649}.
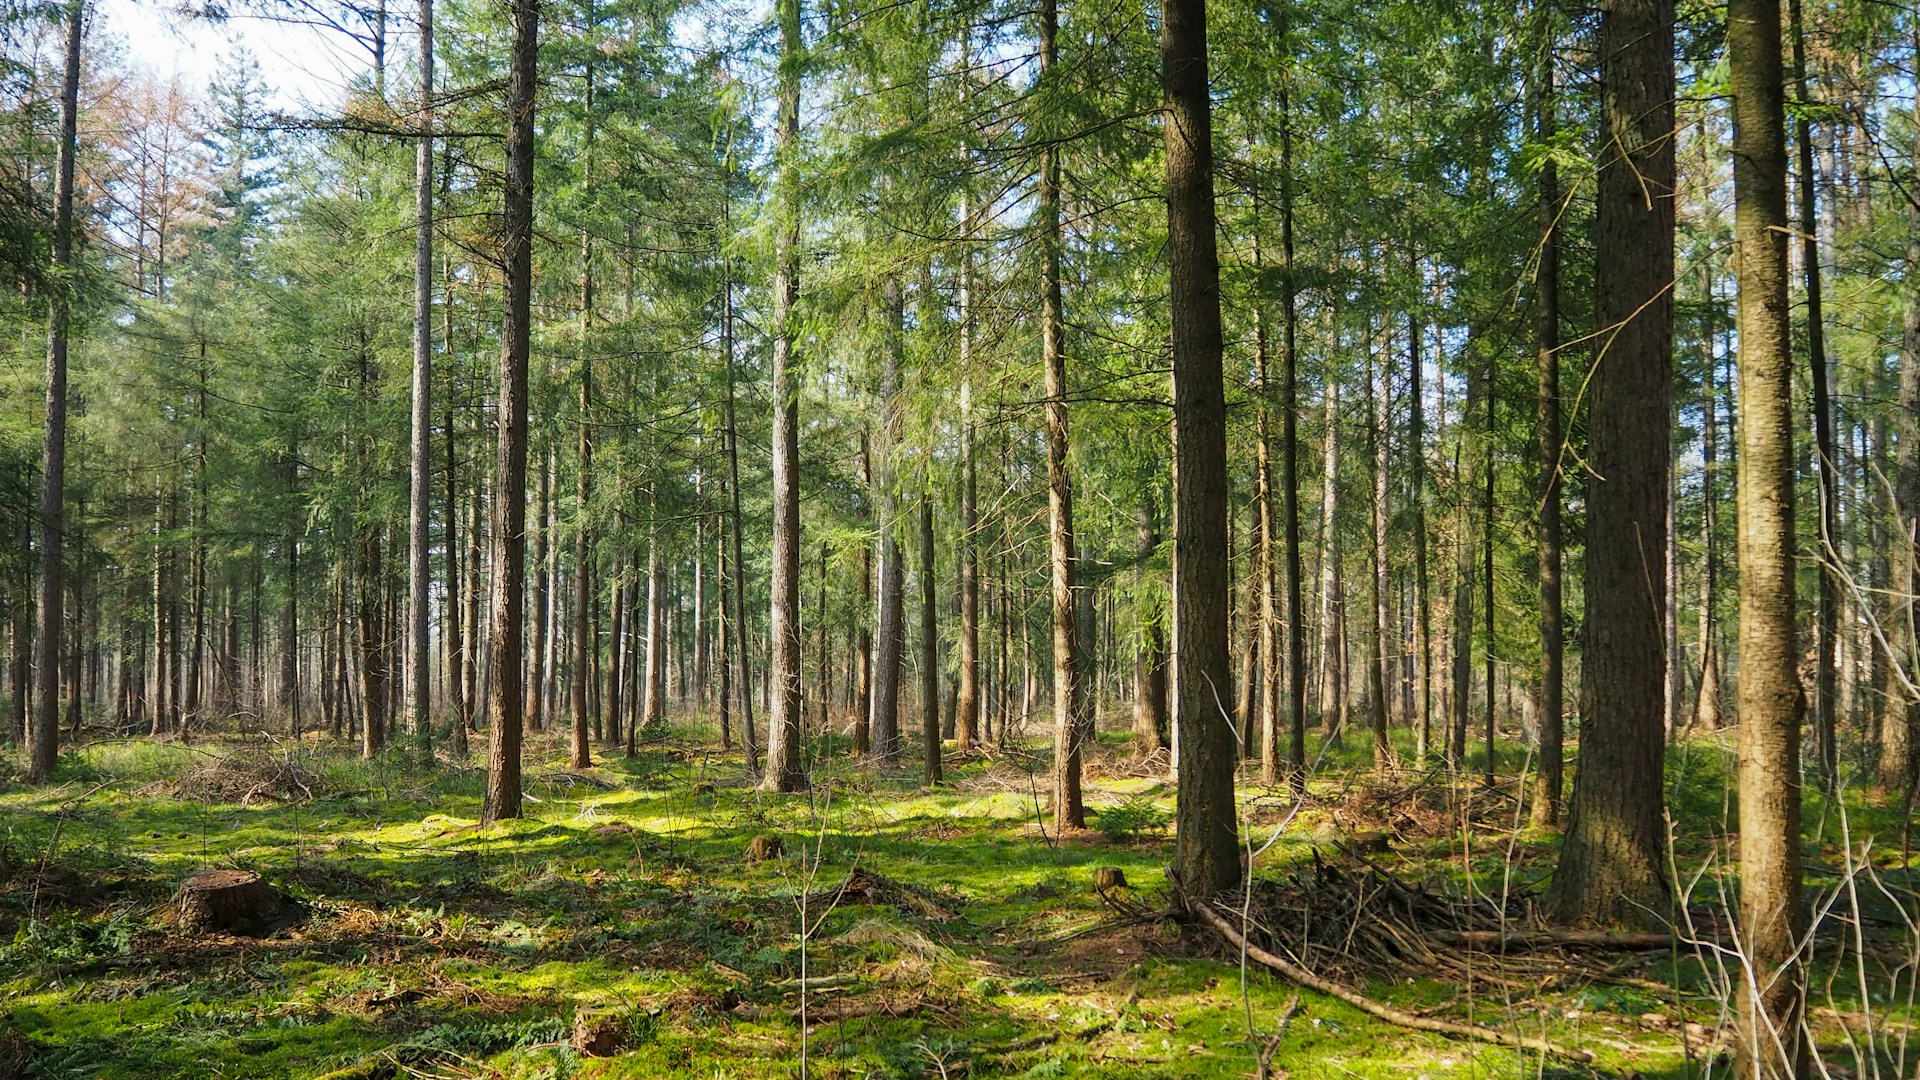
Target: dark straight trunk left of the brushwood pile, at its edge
{"x": 1207, "y": 850}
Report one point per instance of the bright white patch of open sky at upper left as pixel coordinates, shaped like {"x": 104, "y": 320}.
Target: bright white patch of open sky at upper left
{"x": 306, "y": 68}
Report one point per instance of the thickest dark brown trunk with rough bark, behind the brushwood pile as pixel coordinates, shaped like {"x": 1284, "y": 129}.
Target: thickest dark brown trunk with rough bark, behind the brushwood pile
{"x": 1612, "y": 868}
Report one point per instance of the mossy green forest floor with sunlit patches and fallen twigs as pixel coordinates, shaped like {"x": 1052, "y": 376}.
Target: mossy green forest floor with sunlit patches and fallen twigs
{"x": 625, "y": 912}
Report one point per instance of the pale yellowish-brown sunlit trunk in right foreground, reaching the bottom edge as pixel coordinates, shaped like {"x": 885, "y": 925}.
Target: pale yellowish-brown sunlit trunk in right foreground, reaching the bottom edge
{"x": 1771, "y": 1043}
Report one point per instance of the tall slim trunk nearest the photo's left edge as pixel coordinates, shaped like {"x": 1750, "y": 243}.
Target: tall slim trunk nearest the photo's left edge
{"x": 55, "y": 435}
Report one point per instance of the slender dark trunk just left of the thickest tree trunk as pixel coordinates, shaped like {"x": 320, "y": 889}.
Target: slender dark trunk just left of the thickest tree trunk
{"x": 1550, "y": 775}
